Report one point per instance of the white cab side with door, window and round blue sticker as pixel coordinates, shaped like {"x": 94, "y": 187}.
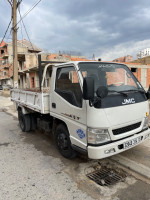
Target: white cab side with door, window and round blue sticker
{"x": 66, "y": 103}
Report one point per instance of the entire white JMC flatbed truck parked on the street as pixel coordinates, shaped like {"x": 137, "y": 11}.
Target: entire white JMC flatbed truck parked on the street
{"x": 96, "y": 108}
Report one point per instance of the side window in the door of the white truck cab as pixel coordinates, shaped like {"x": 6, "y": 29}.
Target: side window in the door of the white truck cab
{"x": 68, "y": 87}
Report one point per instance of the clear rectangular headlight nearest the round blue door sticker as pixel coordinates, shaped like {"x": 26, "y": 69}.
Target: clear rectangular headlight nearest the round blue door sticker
{"x": 97, "y": 136}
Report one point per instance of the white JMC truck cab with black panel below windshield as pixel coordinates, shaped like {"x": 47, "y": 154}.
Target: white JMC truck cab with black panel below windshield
{"x": 103, "y": 106}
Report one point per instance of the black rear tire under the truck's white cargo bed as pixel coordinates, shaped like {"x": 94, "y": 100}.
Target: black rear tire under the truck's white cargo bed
{"x": 24, "y": 121}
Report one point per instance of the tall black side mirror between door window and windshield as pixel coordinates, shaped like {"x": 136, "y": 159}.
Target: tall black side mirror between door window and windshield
{"x": 88, "y": 88}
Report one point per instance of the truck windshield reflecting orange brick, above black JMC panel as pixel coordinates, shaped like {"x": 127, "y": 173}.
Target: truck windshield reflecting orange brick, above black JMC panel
{"x": 116, "y": 77}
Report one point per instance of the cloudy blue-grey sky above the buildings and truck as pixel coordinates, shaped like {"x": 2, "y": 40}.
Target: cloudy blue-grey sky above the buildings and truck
{"x": 108, "y": 29}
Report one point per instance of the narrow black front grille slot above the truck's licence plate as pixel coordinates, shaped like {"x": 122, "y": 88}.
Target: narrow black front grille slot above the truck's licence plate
{"x": 126, "y": 128}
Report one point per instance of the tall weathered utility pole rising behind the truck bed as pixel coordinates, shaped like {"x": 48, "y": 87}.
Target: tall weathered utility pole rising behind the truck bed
{"x": 14, "y": 31}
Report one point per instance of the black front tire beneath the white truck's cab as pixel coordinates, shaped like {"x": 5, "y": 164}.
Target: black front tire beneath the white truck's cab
{"x": 63, "y": 142}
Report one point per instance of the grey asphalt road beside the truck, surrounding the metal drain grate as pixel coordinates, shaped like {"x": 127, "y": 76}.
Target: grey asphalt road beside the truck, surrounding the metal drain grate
{"x": 31, "y": 168}
